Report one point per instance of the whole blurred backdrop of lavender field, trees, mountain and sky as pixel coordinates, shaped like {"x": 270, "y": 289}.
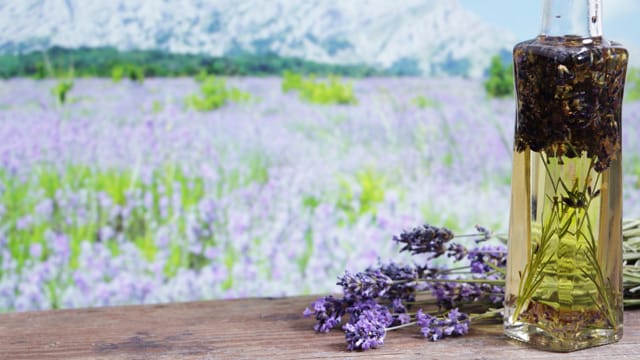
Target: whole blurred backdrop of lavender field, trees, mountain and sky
{"x": 156, "y": 151}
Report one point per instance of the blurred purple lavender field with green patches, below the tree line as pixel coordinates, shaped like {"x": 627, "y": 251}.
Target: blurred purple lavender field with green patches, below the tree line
{"x": 123, "y": 196}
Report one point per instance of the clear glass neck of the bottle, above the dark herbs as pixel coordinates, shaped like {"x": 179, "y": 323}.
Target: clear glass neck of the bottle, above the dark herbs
{"x": 574, "y": 18}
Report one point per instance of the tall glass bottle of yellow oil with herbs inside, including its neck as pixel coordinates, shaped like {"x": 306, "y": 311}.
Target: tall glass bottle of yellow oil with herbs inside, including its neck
{"x": 564, "y": 268}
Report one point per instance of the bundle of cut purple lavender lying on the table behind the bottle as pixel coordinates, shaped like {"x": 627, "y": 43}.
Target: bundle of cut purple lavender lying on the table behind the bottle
{"x": 441, "y": 301}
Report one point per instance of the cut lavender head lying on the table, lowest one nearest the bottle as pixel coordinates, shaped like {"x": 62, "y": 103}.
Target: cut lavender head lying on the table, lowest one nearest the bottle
{"x": 435, "y": 328}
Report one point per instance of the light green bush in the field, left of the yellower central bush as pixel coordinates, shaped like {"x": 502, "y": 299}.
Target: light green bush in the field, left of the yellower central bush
{"x": 214, "y": 94}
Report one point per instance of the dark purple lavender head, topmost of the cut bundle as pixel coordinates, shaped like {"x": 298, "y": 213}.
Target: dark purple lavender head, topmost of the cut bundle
{"x": 426, "y": 239}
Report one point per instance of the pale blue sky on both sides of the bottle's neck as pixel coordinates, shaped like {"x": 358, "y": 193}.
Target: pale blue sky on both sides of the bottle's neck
{"x": 522, "y": 18}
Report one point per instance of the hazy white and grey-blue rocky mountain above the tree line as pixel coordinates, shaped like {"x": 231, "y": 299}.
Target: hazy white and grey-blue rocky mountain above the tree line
{"x": 430, "y": 36}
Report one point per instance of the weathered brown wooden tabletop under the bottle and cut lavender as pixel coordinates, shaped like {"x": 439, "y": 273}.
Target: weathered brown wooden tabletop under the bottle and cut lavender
{"x": 248, "y": 329}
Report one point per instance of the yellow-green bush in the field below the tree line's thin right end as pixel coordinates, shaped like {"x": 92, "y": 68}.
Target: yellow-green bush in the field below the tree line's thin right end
{"x": 330, "y": 91}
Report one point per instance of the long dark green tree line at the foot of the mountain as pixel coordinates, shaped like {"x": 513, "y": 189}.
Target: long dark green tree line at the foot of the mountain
{"x": 109, "y": 62}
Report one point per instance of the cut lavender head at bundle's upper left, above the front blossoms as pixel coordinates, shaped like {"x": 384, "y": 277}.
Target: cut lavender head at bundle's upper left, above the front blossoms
{"x": 365, "y": 285}
